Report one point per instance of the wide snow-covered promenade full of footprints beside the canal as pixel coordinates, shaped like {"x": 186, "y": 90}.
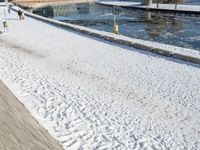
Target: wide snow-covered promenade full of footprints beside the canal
{"x": 92, "y": 94}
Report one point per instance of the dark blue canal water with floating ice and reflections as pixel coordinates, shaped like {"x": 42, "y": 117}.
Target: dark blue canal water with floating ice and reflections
{"x": 175, "y": 29}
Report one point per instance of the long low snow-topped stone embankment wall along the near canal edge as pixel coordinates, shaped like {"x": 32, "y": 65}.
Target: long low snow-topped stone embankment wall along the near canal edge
{"x": 160, "y": 49}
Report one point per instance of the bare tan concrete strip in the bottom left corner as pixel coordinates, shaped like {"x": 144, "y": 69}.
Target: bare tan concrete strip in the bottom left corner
{"x": 18, "y": 129}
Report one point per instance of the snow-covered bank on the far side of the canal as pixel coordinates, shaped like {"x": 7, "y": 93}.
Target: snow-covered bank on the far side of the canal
{"x": 183, "y": 7}
